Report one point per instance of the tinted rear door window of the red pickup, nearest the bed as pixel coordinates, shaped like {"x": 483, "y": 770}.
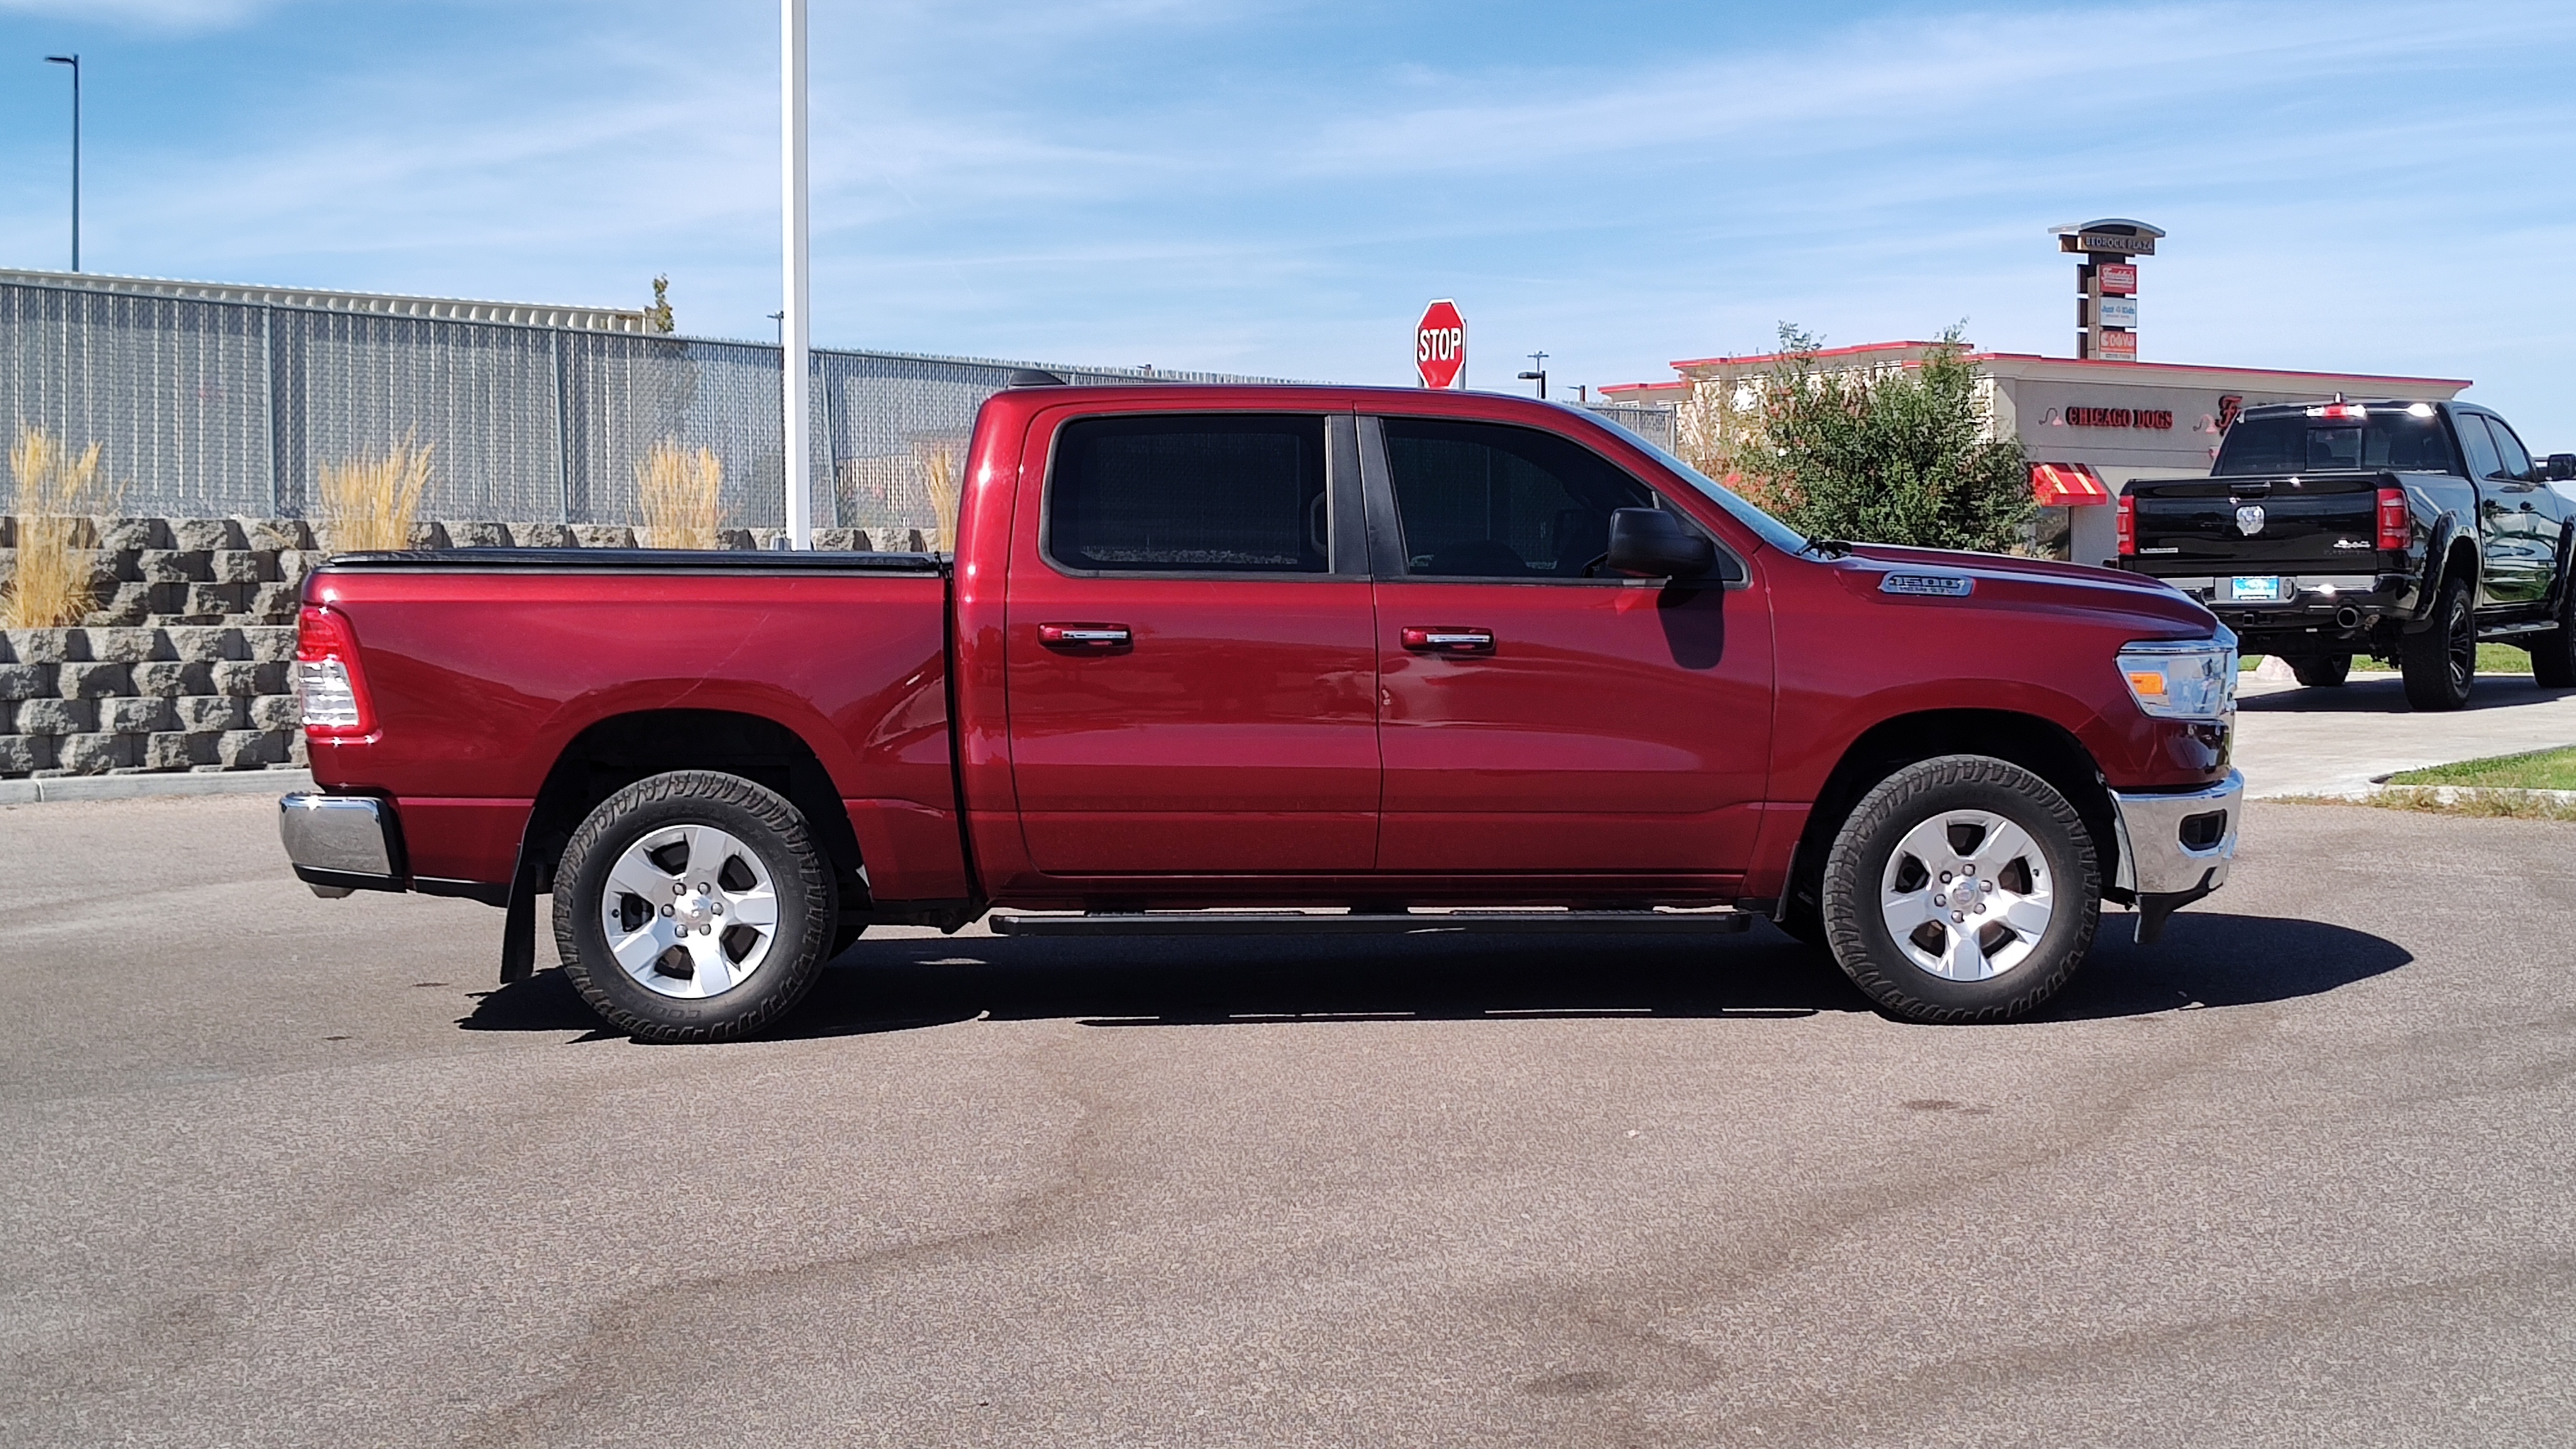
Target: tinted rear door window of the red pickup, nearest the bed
{"x": 1189, "y": 494}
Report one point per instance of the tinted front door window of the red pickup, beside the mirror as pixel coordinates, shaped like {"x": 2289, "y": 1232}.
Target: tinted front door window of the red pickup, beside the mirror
{"x": 1495, "y": 501}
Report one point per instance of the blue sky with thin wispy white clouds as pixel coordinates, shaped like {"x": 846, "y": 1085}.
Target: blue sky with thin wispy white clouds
{"x": 1279, "y": 187}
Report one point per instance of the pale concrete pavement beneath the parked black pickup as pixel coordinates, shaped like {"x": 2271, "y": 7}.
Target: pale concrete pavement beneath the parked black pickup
{"x": 2338, "y": 741}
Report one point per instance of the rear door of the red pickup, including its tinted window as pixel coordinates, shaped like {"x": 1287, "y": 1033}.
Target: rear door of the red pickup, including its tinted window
{"x": 1189, "y": 651}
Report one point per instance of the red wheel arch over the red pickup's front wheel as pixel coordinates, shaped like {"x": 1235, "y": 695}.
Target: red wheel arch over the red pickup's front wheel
{"x": 2031, "y": 741}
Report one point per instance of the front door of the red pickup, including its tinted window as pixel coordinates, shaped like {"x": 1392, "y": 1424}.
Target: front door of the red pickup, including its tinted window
{"x": 1544, "y": 721}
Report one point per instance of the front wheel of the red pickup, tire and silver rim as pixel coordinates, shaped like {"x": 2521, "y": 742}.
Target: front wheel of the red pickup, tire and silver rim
{"x": 1964, "y": 888}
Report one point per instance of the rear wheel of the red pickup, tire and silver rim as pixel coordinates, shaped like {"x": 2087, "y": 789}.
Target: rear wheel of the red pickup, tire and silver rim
{"x": 694, "y": 906}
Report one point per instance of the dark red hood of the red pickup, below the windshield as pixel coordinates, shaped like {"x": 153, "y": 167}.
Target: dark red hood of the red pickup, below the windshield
{"x": 2003, "y": 581}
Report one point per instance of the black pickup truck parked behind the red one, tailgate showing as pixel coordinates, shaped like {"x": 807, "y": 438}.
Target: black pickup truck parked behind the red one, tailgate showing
{"x": 2394, "y": 530}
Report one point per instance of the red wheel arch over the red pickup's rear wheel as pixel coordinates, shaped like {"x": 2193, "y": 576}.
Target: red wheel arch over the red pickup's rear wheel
{"x": 622, "y": 749}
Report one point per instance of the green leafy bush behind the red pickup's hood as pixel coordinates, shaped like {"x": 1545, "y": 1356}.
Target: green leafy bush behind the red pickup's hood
{"x": 1889, "y": 458}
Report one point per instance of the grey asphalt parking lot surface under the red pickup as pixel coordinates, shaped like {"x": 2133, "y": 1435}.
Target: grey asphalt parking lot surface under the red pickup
{"x": 290, "y": 1172}
